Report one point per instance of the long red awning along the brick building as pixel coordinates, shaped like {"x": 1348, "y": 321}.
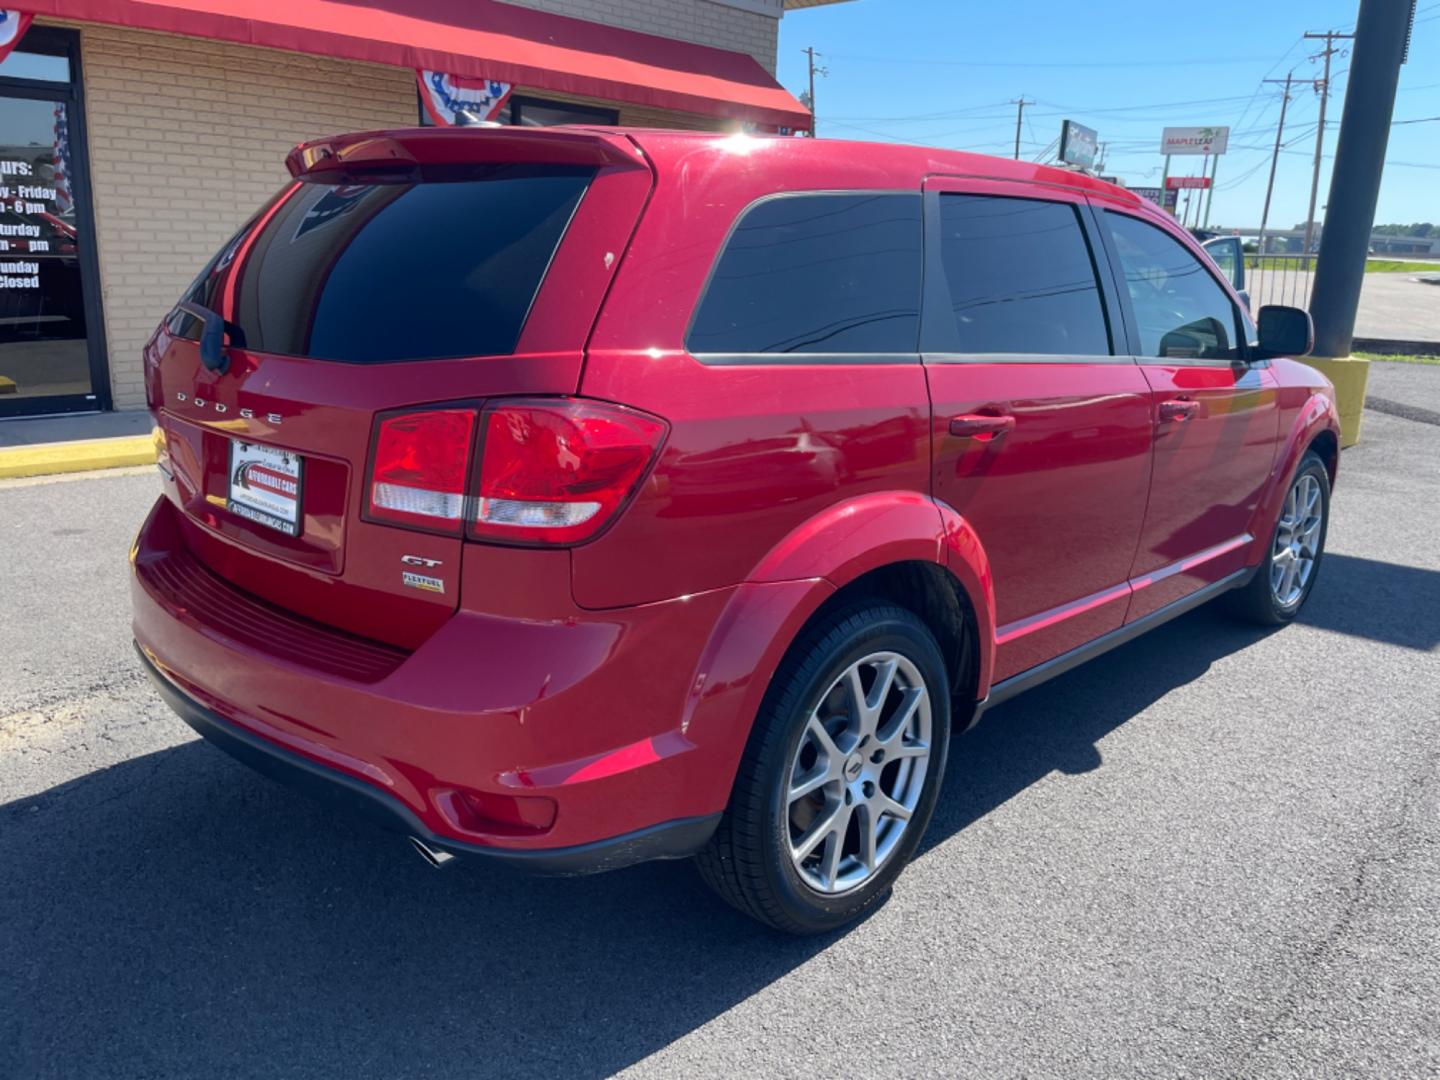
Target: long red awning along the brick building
{"x": 477, "y": 40}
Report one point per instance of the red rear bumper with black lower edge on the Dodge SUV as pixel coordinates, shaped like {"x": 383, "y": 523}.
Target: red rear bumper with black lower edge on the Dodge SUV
{"x": 629, "y": 724}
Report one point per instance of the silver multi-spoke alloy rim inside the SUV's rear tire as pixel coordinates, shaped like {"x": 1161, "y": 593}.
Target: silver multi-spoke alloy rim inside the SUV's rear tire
{"x": 858, "y": 773}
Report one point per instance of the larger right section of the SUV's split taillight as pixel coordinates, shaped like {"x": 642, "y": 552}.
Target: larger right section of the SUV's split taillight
{"x": 557, "y": 472}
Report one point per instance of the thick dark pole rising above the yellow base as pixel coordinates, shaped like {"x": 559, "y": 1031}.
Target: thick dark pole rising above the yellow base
{"x": 1382, "y": 45}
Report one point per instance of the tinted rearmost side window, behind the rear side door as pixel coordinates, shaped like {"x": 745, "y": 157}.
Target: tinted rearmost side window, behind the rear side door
{"x": 817, "y": 274}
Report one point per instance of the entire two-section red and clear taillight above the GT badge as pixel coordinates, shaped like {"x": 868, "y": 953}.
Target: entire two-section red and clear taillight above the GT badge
{"x": 552, "y": 470}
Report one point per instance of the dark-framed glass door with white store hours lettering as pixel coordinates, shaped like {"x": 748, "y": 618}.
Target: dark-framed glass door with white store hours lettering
{"x": 53, "y": 355}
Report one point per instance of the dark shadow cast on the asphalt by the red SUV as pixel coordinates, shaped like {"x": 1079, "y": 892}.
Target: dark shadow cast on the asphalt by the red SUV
{"x": 179, "y": 915}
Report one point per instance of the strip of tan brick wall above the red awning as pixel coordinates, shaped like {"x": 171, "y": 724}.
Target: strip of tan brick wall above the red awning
{"x": 703, "y": 22}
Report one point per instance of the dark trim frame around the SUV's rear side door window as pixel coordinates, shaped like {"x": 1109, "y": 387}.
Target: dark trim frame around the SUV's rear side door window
{"x": 940, "y": 336}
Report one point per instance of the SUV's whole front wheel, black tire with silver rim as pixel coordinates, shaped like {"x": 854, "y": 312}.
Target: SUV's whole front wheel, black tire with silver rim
{"x": 1282, "y": 584}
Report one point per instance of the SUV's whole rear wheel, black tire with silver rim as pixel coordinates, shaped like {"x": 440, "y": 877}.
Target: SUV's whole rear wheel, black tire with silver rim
{"x": 868, "y": 768}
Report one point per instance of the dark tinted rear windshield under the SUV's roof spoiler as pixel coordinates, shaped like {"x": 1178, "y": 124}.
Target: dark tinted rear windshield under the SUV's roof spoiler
{"x": 384, "y": 270}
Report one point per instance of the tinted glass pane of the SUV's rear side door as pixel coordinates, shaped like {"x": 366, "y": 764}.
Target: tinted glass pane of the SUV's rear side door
{"x": 1022, "y": 277}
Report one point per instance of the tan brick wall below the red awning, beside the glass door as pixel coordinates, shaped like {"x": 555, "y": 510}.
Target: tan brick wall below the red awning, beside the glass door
{"x": 188, "y": 139}
